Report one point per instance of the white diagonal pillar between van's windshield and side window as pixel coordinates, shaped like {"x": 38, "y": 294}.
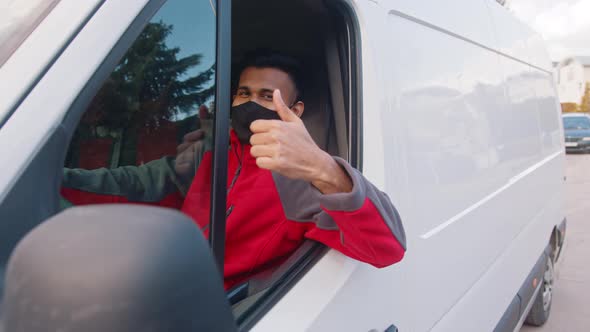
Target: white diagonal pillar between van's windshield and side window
{"x": 47, "y": 103}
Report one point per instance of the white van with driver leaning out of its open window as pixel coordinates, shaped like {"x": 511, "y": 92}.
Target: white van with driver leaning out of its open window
{"x": 447, "y": 106}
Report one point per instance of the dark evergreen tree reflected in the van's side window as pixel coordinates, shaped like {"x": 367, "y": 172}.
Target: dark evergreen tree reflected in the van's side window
{"x": 149, "y": 85}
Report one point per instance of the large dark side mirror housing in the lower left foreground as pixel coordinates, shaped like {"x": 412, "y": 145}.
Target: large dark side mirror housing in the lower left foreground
{"x": 117, "y": 268}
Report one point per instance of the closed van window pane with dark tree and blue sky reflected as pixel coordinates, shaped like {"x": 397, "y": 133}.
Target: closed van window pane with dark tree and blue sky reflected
{"x": 126, "y": 145}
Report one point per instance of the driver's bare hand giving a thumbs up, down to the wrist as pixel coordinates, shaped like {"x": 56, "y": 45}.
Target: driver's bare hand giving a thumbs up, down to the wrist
{"x": 285, "y": 146}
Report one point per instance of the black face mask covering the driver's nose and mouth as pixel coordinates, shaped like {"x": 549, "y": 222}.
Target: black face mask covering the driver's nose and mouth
{"x": 243, "y": 115}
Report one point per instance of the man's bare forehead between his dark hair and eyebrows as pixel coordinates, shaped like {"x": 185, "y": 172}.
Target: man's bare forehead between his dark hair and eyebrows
{"x": 265, "y": 78}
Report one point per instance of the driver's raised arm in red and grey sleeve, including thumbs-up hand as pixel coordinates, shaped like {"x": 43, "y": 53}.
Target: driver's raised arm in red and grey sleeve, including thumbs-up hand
{"x": 350, "y": 214}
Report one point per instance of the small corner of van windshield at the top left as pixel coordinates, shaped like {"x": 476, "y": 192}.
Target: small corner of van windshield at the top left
{"x": 18, "y": 19}
